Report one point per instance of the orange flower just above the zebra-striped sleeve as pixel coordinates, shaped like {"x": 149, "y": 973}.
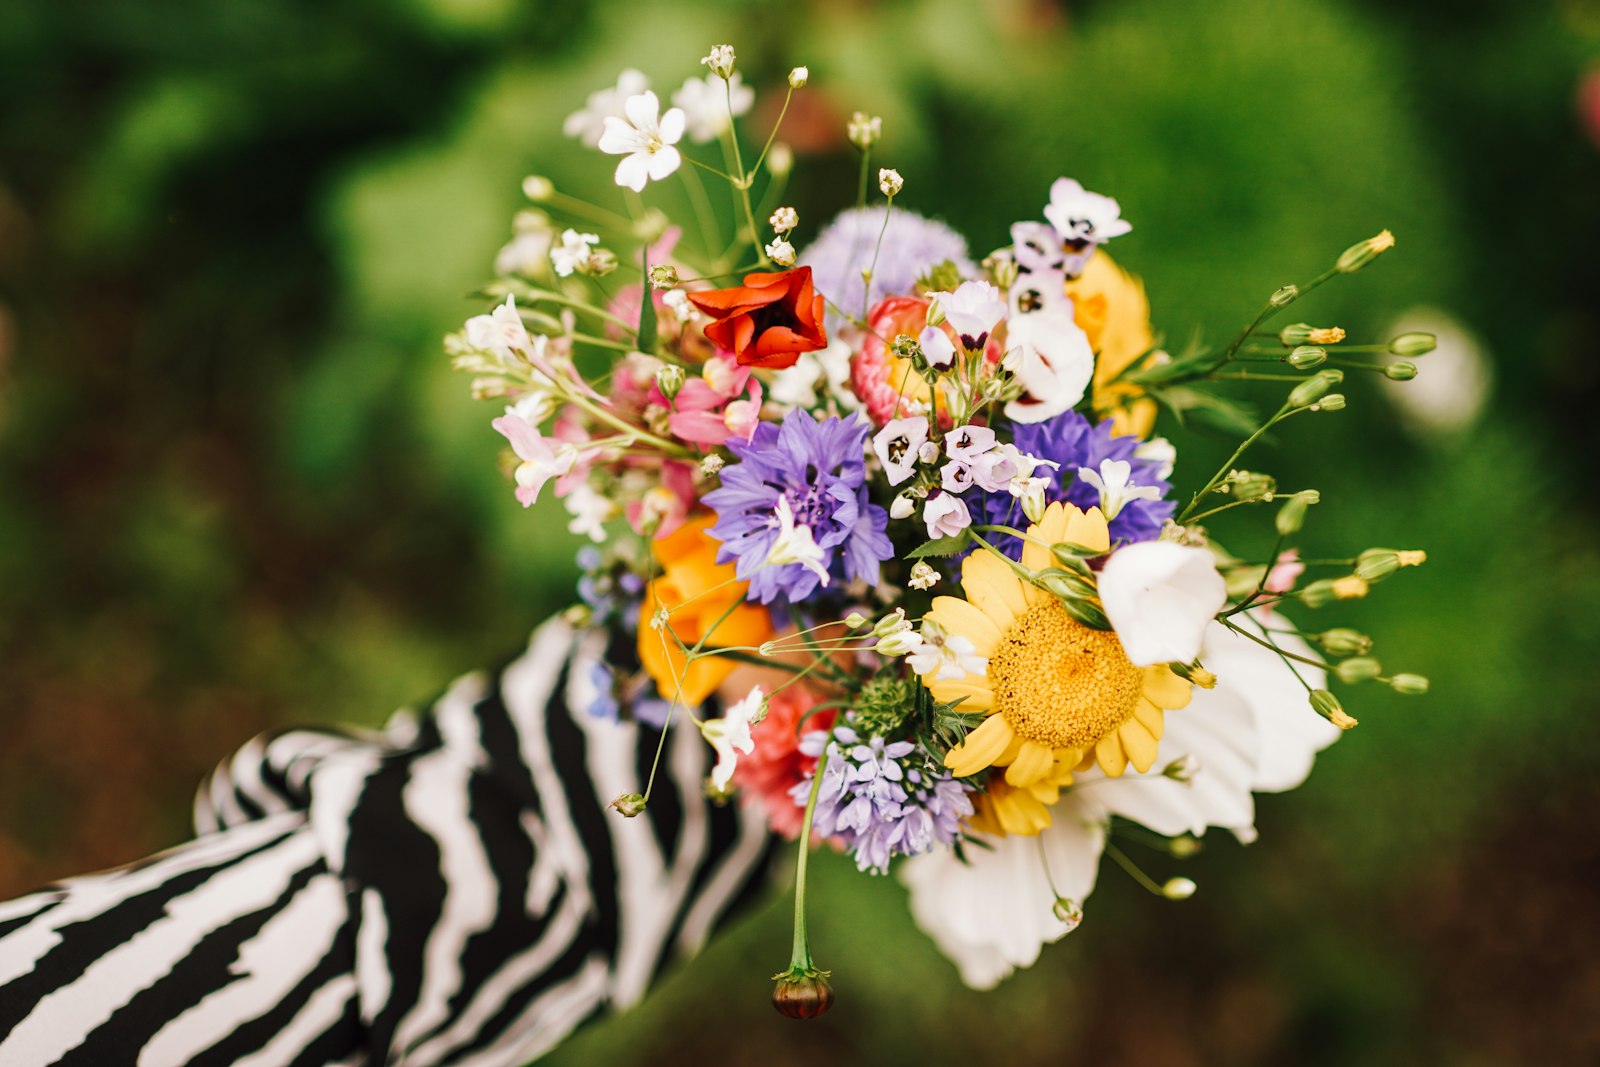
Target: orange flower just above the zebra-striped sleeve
{"x": 697, "y": 591}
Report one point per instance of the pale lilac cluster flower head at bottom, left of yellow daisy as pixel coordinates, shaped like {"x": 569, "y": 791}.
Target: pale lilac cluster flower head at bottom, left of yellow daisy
{"x": 879, "y": 799}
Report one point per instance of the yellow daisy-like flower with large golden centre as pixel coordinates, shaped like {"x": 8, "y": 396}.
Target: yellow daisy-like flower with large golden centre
{"x": 1058, "y": 695}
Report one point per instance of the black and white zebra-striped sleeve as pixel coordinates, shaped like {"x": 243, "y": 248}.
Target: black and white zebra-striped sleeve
{"x": 449, "y": 892}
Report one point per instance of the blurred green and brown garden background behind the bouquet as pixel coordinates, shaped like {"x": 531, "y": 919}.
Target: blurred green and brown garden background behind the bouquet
{"x": 241, "y": 487}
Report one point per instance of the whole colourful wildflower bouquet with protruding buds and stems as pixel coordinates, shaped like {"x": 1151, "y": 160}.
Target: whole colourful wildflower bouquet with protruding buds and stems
{"x": 922, "y": 490}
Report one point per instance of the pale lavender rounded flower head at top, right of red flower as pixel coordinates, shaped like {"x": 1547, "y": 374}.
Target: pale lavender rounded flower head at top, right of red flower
{"x": 911, "y": 247}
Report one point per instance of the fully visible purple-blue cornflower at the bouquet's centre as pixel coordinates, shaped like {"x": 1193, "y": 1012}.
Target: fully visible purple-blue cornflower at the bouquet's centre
{"x": 820, "y": 470}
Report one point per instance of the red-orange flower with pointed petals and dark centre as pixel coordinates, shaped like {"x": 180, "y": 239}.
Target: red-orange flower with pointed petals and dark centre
{"x": 769, "y": 321}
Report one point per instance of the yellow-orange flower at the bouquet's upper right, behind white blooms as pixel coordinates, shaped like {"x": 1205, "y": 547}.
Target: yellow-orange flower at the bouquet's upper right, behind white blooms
{"x": 1111, "y": 308}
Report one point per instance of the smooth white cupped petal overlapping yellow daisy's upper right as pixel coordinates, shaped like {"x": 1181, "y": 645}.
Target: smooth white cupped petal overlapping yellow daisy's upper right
{"x": 1161, "y": 597}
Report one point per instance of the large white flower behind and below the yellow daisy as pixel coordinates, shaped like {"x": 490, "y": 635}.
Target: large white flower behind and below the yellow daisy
{"x": 1252, "y": 733}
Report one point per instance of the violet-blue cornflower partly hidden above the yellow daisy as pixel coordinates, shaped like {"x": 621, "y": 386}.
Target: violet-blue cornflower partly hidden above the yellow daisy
{"x": 1074, "y": 442}
